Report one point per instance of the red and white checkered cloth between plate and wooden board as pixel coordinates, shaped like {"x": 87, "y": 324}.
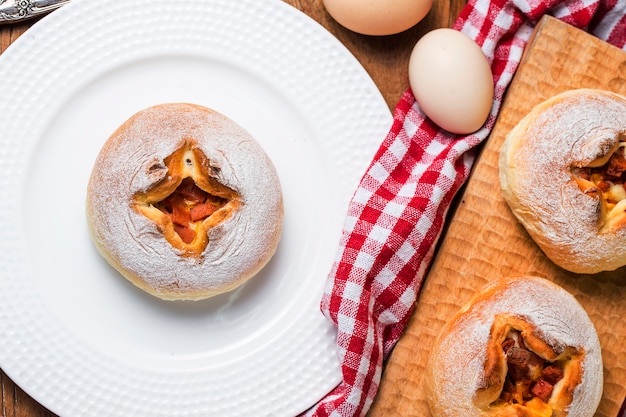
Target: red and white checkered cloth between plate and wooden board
{"x": 397, "y": 213}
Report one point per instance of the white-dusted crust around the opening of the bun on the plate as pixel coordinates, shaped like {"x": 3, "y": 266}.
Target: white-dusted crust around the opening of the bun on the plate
{"x": 132, "y": 161}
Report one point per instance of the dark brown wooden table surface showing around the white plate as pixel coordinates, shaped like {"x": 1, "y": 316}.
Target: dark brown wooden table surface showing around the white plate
{"x": 384, "y": 58}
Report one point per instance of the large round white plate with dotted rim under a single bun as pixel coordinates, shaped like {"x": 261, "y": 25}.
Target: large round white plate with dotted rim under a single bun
{"x": 74, "y": 334}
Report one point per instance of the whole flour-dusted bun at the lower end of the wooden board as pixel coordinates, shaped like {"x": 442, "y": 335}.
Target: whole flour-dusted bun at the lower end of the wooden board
{"x": 471, "y": 371}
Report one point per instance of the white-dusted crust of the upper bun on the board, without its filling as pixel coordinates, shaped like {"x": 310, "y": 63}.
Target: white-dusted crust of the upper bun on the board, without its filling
{"x": 569, "y": 130}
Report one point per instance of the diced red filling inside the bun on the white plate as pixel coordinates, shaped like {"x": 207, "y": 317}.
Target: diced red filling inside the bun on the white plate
{"x": 188, "y": 205}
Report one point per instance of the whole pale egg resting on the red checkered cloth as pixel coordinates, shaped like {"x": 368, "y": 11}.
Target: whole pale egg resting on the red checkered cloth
{"x": 451, "y": 80}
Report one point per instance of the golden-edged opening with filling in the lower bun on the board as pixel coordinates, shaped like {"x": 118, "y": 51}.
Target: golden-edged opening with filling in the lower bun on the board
{"x": 525, "y": 375}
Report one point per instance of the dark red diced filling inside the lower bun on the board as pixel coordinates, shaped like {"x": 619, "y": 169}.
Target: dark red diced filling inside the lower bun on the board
{"x": 529, "y": 377}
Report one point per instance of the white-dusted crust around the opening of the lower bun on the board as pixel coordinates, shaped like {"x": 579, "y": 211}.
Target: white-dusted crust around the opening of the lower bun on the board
{"x": 459, "y": 354}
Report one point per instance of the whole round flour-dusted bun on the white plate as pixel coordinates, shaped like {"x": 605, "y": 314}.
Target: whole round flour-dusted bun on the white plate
{"x": 184, "y": 203}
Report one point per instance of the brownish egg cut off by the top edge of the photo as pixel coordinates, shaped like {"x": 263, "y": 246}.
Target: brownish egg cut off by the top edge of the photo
{"x": 378, "y": 17}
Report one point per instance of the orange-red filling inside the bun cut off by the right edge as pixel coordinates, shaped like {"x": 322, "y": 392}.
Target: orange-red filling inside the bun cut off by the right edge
{"x": 606, "y": 180}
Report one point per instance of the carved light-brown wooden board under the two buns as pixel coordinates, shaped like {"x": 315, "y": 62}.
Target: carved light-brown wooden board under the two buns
{"x": 484, "y": 241}
